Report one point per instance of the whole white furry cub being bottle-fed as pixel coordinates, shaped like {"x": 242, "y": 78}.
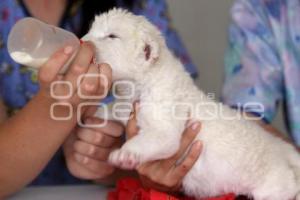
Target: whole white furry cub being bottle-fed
{"x": 238, "y": 155}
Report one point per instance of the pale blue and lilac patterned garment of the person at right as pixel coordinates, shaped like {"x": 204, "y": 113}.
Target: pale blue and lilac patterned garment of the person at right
{"x": 263, "y": 59}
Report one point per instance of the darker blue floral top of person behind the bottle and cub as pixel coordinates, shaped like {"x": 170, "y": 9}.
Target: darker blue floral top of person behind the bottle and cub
{"x": 18, "y": 84}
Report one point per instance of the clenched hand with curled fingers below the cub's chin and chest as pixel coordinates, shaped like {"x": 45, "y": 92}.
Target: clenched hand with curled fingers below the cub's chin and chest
{"x": 87, "y": 149}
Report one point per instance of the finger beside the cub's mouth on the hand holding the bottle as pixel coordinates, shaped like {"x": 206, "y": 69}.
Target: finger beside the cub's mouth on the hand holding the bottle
{"x": 80, "y": 64}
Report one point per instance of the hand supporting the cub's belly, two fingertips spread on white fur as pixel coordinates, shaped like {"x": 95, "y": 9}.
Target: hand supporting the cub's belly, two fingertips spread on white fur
{"x": 167, "y": 175}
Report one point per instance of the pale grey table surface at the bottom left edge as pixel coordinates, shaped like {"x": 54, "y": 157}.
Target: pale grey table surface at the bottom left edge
{"x": 89, "y": 192}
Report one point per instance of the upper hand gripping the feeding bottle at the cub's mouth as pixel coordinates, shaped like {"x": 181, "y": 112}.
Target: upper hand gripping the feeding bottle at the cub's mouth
{"x": 82, "y": 75}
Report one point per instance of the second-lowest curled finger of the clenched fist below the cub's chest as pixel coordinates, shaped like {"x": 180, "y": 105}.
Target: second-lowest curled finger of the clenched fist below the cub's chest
{"x": 91, "y": 151}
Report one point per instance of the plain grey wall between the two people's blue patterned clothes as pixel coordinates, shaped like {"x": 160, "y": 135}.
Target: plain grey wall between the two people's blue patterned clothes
{"x": 203, "y": 26}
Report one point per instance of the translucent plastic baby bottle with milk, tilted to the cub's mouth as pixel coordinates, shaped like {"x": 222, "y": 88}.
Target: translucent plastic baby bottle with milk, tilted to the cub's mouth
{"x": 31, "y": 42}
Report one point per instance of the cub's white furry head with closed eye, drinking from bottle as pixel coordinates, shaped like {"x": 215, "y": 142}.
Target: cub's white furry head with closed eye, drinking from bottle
{"x": 129, "y": 43}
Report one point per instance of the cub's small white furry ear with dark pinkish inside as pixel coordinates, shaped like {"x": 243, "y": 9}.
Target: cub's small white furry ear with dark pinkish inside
{"x": 148, "y": 49}
